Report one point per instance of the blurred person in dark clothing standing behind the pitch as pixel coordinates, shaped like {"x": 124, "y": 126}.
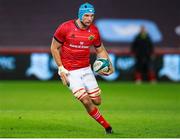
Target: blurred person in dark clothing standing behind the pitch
{"x": 143, "y": 50}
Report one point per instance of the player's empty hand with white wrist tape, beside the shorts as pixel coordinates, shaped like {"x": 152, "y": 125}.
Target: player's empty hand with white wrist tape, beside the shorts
{"x": 63, "y": 73}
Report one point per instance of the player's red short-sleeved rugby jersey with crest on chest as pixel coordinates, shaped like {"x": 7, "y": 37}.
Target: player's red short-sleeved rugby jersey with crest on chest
{"x": 75, "y": 51}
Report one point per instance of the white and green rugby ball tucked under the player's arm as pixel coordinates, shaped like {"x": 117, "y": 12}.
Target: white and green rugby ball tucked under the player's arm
{"x": 101, "y": 64}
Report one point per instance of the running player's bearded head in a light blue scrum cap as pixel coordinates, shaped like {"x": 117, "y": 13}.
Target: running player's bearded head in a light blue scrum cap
{"x": 86, "y": 13}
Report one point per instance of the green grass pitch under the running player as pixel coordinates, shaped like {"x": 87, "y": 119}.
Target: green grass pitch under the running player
{"x": 48, "y": 109}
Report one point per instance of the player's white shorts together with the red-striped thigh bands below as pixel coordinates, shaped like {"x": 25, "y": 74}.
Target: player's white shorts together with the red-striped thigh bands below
{"x": 82, "y": 82}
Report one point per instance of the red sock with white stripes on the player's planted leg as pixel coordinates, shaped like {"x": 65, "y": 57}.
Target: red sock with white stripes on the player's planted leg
{"x": 98, "y": 117}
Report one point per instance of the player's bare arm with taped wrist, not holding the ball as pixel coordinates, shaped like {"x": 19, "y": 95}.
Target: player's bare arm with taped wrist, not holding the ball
{"x": 55, "y": 46}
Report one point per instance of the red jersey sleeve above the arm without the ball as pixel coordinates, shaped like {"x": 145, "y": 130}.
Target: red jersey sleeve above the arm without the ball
{"x": 60, "y": 33}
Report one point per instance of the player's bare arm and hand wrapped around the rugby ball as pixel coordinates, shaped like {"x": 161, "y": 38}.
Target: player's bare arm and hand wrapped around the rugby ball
{"x": 102, "y": 53}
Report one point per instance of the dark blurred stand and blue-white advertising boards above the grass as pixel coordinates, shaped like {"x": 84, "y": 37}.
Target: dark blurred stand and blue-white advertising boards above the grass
{"x": 27, "y": 28}
